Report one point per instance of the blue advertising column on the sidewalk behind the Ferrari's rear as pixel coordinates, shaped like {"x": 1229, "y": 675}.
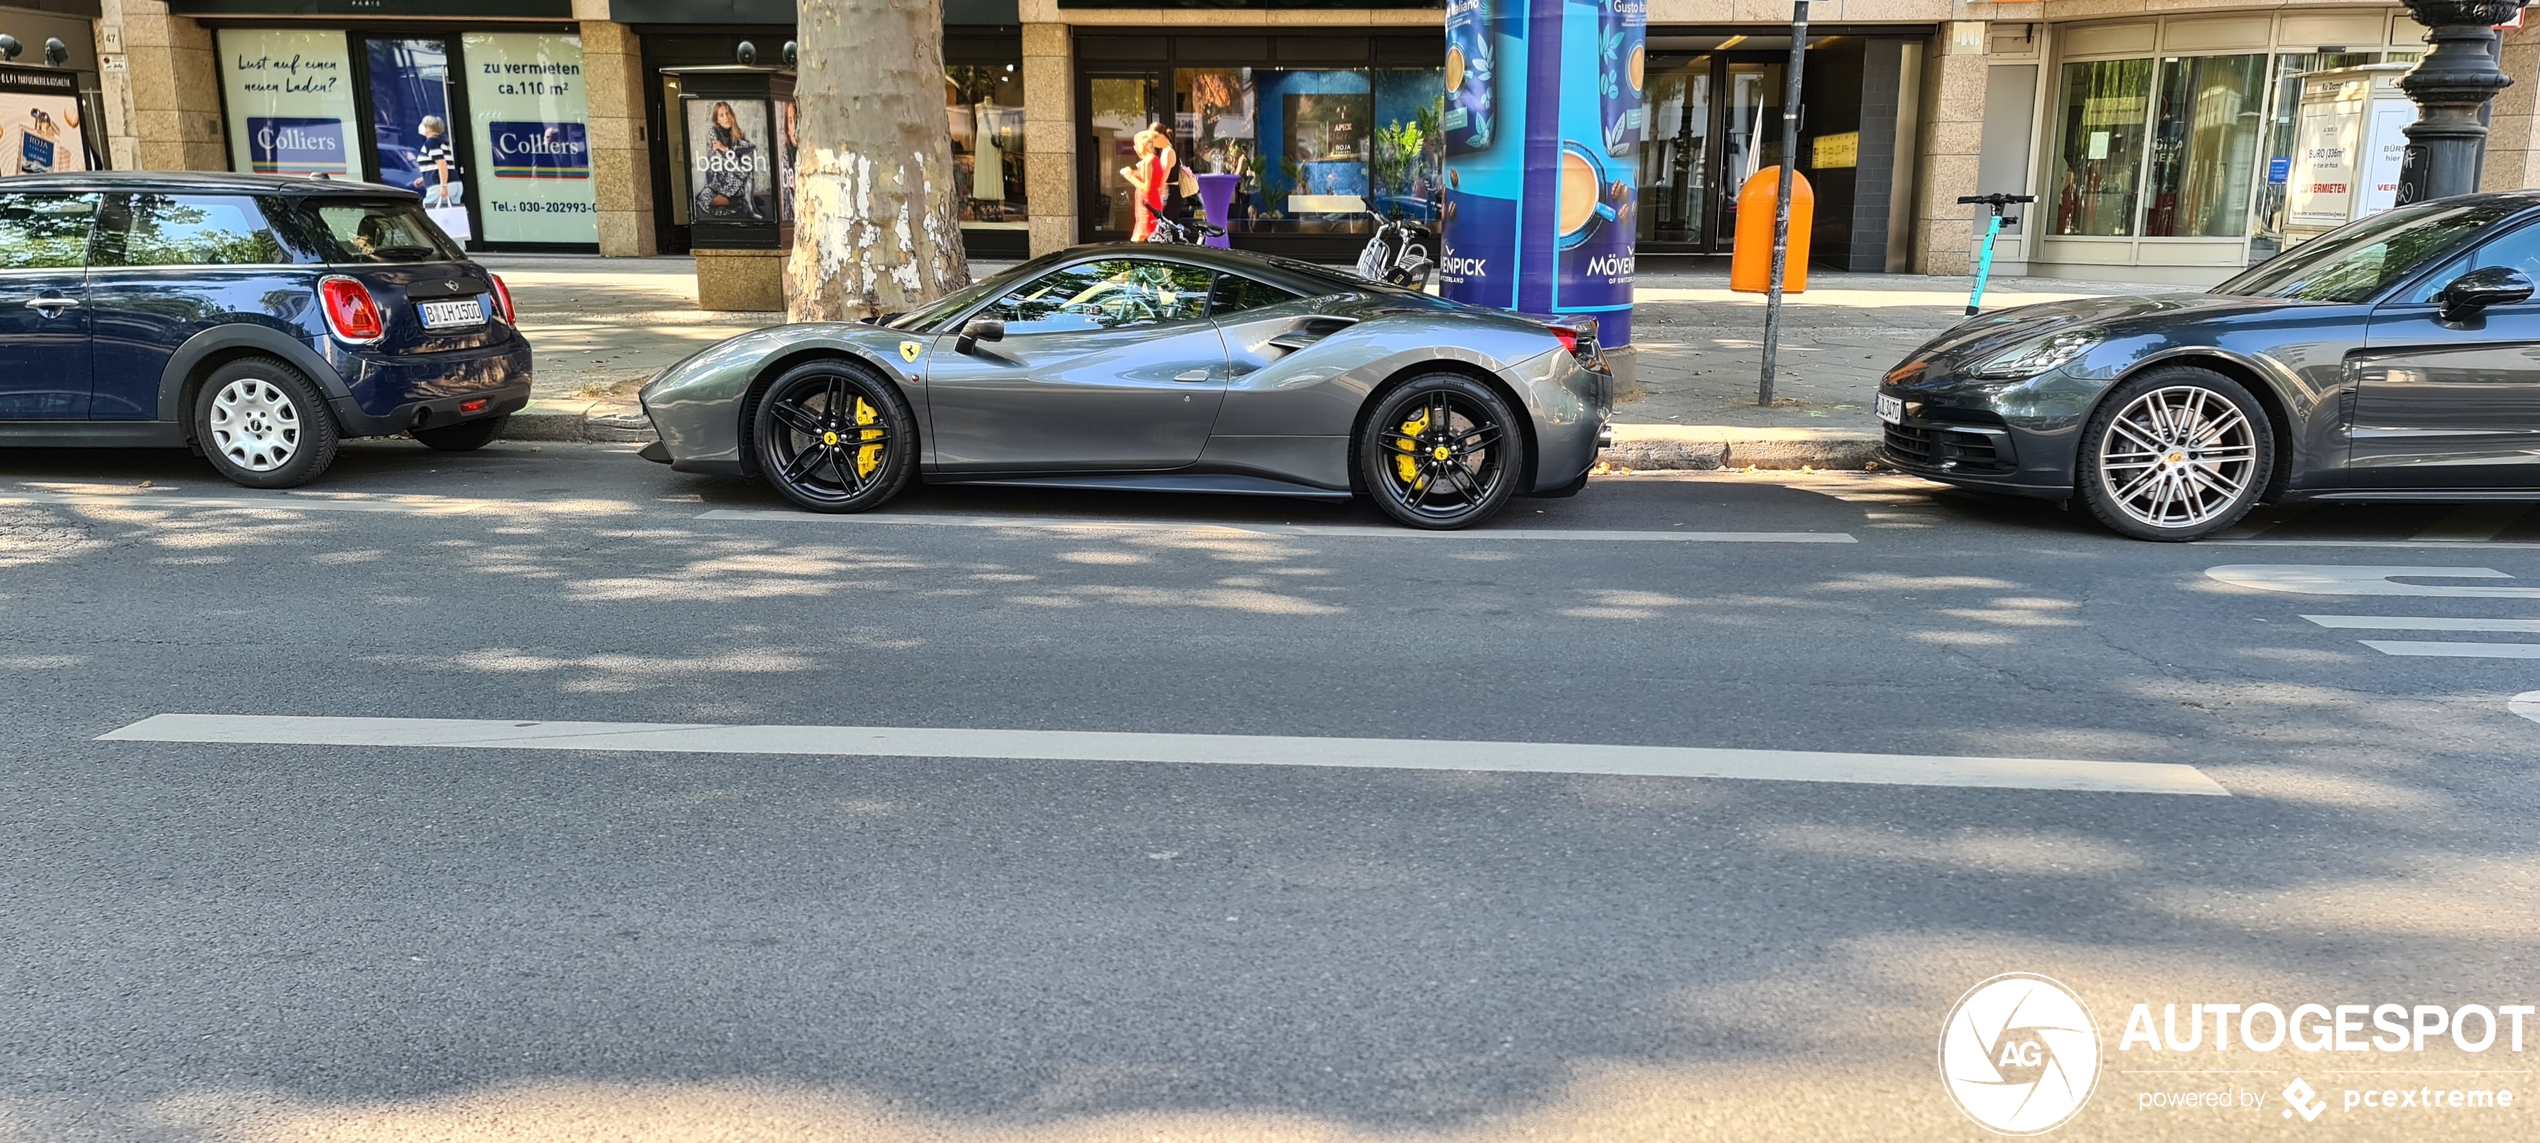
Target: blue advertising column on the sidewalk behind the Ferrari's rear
{"x": 1543, "y": 126}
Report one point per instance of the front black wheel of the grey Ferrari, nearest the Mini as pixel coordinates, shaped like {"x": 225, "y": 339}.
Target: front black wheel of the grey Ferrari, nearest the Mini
{"x": 834, "y": 438}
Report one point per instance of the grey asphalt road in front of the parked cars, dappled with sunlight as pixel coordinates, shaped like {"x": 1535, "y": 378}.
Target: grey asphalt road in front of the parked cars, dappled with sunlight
{"x": 271, "y": 941}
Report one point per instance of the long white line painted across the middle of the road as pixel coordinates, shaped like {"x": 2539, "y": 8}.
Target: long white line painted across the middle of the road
{"x": 1553, "y": 758}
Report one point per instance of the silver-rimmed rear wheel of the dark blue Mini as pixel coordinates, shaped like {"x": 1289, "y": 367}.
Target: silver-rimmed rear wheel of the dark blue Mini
{"x": 263, "y": 425}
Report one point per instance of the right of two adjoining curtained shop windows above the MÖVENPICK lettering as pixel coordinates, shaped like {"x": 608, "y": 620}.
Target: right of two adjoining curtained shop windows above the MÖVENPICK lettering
{"x": 2206, "y": 146}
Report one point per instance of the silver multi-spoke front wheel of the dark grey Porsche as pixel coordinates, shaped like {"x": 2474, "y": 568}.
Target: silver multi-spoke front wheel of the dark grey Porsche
{"x": 2176, "y": 456}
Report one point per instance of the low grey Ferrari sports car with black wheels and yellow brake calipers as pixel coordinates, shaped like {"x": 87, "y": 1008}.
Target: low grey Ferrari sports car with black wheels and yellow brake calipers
{"x": 1142, "y": 367}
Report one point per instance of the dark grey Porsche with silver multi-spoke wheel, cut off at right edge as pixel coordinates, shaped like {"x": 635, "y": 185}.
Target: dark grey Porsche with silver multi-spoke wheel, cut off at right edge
{"x": 2391, "y": 359}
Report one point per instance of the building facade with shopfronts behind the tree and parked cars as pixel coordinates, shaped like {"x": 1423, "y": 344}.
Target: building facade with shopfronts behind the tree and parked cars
{"x": 2158, "y": 136}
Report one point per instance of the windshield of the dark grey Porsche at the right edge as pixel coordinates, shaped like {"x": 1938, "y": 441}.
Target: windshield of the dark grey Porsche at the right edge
{"x": 2366, "y": 258}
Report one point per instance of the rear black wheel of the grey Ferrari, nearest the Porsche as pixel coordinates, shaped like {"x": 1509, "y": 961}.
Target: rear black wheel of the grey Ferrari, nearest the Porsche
{"x": 1441, "y": 453}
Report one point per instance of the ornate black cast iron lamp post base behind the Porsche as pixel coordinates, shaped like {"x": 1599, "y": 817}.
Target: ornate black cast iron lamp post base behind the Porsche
{"x": 2450, "y": 88}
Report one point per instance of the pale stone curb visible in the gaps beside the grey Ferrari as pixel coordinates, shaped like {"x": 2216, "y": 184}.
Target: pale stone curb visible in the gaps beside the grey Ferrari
{"x": 1637, "y": 448}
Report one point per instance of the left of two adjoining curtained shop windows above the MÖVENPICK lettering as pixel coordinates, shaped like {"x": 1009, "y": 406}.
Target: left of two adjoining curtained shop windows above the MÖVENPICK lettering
{"x": 2102, "y": 146}
